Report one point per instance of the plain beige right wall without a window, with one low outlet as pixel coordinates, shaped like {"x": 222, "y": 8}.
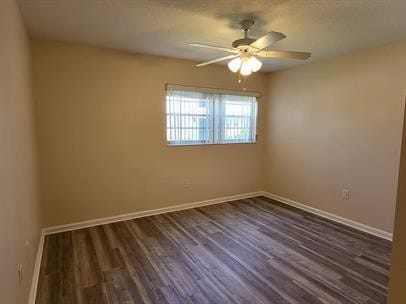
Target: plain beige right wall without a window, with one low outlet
{"x": 336, "y": 124}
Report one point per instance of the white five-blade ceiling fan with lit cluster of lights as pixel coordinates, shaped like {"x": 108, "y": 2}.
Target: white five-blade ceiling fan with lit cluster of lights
{"x": 246, "y": 50}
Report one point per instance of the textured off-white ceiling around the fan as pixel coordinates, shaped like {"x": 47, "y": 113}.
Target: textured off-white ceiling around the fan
{"x": 164, "y": 27}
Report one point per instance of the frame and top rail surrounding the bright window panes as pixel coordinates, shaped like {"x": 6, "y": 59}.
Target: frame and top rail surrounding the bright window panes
{"x": 254, "y": 118}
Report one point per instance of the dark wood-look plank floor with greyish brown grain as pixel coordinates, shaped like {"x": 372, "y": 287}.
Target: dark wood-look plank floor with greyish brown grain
{"x": 247, "y": 251}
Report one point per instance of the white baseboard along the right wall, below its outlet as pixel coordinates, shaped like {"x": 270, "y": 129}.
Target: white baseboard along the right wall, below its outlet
{"x": 330, "y": 216}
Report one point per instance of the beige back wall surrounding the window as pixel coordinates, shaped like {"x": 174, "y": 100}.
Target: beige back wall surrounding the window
{"x": 101, "y": 132}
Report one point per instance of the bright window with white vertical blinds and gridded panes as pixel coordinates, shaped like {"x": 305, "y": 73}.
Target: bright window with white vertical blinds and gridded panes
{"x": 201, "y": 117}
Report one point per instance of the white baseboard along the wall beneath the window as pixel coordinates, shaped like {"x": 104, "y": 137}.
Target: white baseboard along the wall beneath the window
{"x": 129, "y": 216}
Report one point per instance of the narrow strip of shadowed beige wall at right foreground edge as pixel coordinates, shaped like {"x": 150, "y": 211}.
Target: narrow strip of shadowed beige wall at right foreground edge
{"x": 397, "y": 292}
